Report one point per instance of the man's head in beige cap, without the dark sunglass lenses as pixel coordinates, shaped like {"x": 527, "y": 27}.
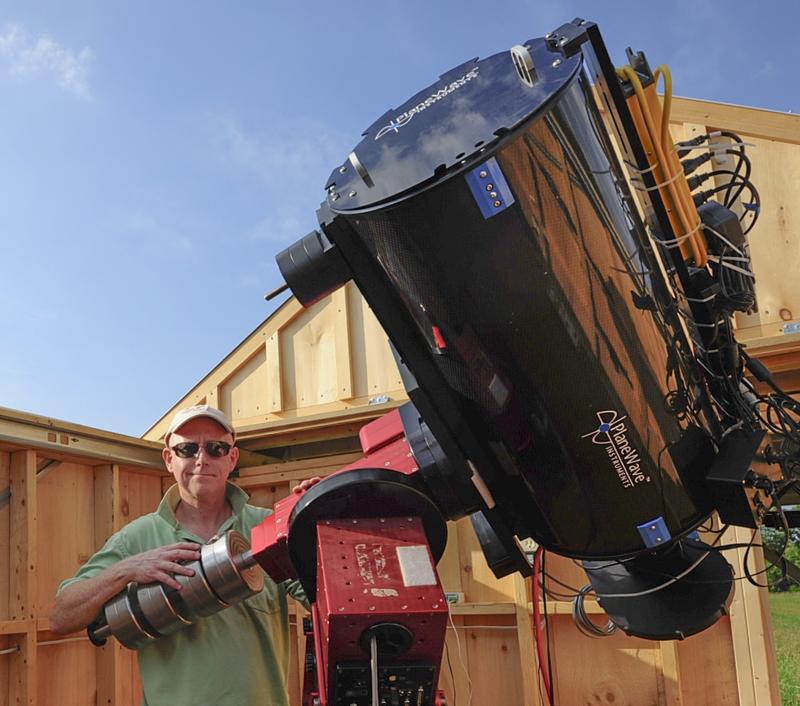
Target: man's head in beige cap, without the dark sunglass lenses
{"x": 204, "y": 475}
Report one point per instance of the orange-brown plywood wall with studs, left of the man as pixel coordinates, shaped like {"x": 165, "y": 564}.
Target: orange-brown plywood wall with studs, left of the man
{"x": 58, "y": 513}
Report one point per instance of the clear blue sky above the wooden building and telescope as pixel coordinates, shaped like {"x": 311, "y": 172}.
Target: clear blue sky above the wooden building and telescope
{"x": 156, "y": 156}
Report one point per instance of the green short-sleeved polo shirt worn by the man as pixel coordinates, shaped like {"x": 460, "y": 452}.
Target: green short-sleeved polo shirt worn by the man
{"x": 237, "y": 657}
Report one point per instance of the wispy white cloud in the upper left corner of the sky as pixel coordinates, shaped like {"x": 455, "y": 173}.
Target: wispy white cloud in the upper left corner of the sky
{"x": 26, "y": 56}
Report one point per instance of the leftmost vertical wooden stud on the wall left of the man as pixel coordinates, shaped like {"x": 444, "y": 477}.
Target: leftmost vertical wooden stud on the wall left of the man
{"x": 22, "y": 579}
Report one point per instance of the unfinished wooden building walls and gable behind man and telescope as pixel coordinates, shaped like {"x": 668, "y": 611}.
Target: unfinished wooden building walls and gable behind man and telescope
{"x": 298, "y": 389}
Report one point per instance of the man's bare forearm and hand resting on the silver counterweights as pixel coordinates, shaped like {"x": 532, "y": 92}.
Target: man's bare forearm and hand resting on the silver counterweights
{"x": 79, "y": 603}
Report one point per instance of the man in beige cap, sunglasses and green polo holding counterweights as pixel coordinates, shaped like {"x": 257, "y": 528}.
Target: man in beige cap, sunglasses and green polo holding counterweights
{"x": 238, "y": 657}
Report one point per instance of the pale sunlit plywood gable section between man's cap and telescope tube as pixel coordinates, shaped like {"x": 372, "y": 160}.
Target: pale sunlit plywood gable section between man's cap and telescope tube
{"x": 333, "y": 358}
